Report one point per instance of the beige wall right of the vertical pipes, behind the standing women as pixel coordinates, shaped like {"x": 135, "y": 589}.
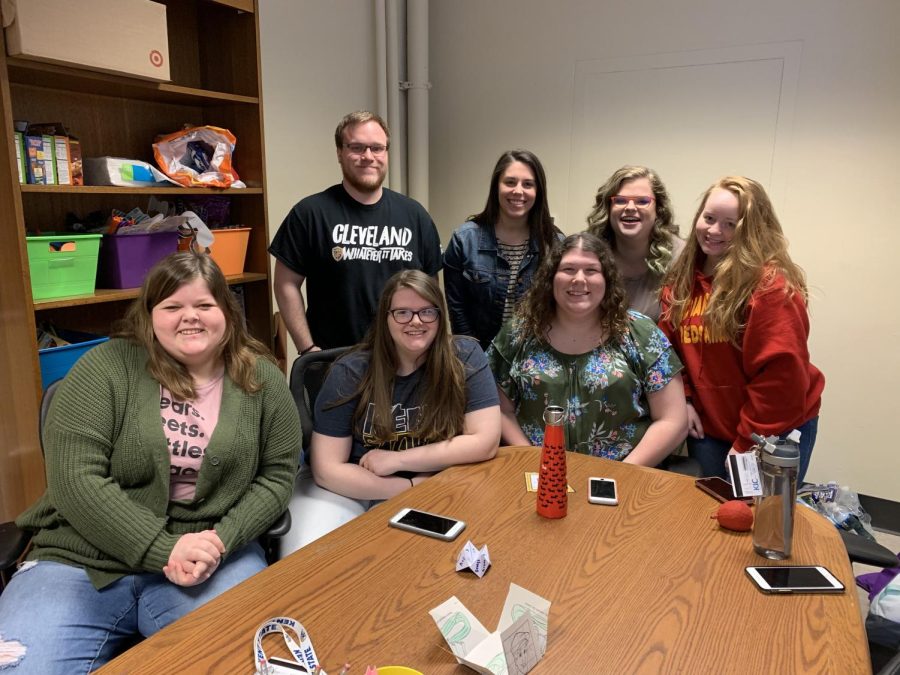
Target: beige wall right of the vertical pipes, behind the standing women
{"x": 504, "y": 75}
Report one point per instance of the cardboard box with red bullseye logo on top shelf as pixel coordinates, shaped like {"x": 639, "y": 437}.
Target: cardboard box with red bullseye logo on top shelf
{"x": 112, "y": 36}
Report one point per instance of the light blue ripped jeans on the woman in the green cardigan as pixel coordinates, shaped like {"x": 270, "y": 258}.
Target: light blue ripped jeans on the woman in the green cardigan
{"x": 67, "y": 626}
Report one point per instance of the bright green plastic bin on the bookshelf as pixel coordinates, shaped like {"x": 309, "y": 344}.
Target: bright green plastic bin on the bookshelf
{"x": 62, "y": 264}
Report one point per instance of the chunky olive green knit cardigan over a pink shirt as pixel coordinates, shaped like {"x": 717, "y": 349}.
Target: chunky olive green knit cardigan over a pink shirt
{"x": 107, "y": 506}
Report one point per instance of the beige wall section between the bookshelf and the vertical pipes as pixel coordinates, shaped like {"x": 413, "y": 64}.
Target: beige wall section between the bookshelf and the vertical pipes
{"x": 317, "y": 65}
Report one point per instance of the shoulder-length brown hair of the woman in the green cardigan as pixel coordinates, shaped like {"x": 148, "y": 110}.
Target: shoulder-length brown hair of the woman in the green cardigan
{"x": 239, "y": 350}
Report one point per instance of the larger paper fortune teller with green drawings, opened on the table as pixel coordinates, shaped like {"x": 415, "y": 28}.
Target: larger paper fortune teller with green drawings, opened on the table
{"x": 513, "y": 649}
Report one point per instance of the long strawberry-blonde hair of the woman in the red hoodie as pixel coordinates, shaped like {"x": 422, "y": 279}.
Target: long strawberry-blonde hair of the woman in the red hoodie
{"x": 757, "y": 255}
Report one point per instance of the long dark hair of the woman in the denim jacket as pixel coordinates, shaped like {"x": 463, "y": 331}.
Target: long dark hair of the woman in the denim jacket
{"x": 540, "y": 222}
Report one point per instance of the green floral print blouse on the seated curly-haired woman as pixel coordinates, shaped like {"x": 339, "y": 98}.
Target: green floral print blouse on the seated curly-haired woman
{"x": 603, "y": 392}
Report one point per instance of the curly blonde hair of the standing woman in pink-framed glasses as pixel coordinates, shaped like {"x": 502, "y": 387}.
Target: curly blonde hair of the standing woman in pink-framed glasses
{"x": 664, "y": 232}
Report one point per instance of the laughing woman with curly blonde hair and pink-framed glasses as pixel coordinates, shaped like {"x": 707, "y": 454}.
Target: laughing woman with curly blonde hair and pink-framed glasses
{"x": 632, "y": 212}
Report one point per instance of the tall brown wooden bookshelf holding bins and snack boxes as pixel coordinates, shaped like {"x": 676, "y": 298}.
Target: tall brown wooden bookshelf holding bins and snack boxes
{"x": 117, "y": 115}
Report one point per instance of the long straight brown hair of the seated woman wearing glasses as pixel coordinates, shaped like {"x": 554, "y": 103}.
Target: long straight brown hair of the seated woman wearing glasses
{"x": 443, "y": 387}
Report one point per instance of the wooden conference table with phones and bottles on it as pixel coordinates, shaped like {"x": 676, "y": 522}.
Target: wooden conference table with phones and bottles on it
{"x": 651, "y": 585}
